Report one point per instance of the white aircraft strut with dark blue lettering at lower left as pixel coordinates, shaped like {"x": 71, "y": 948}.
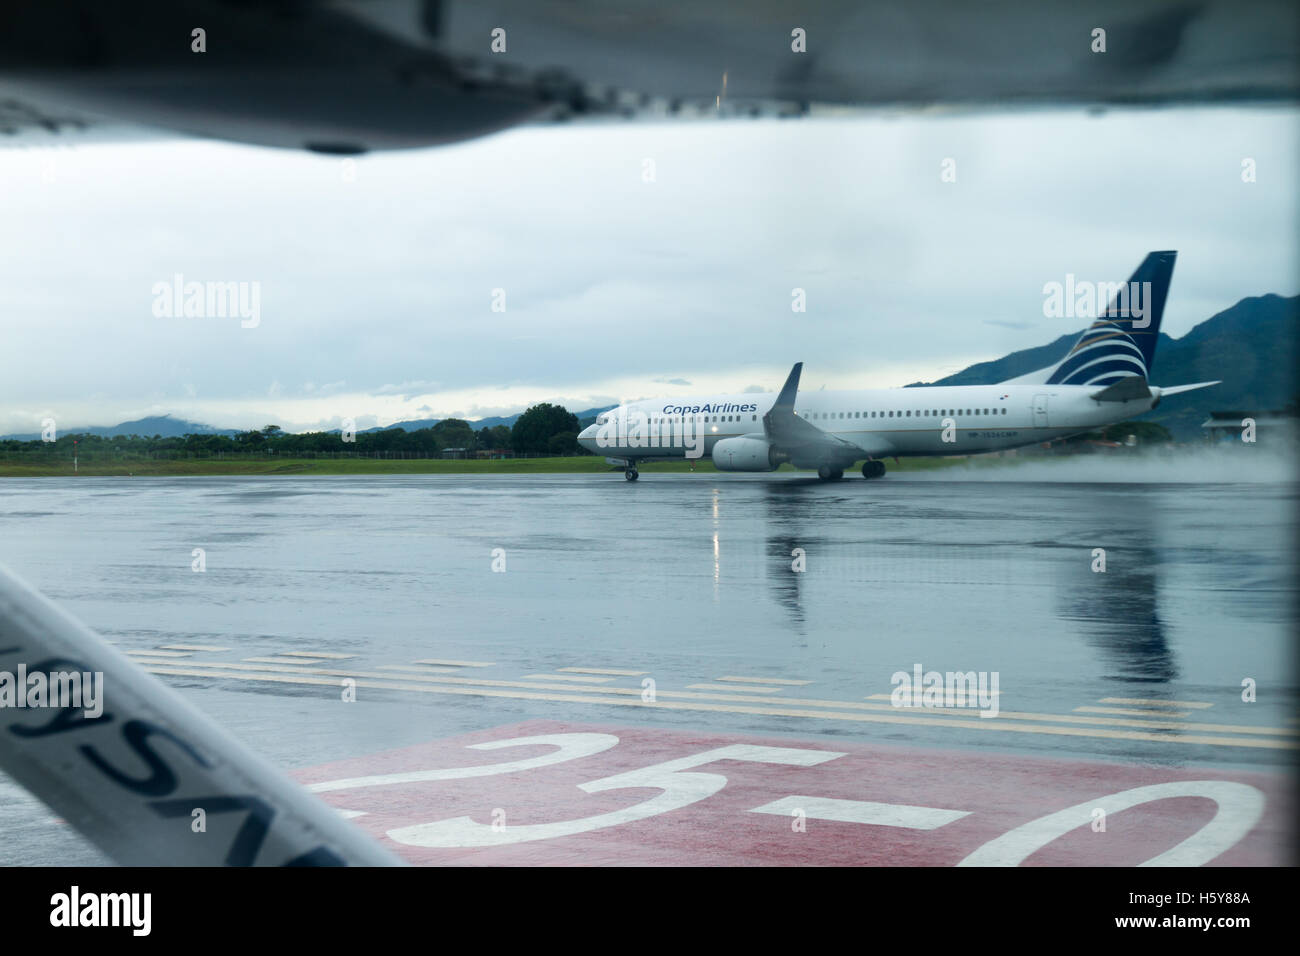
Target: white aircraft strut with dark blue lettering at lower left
{"x": 132, "y": 778}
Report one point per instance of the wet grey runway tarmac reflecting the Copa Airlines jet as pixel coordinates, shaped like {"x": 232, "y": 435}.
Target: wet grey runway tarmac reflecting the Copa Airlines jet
{"x": 697, "y": 608}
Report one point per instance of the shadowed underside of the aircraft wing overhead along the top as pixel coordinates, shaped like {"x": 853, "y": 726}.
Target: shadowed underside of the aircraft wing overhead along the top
{"x": 349, "y": 76}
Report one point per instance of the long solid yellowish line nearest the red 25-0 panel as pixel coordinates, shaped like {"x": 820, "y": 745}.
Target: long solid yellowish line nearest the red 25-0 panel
{"x": 439, "y": 686}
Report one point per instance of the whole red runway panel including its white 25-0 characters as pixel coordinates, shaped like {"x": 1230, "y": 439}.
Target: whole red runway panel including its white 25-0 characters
{"x": 695, "y": 812}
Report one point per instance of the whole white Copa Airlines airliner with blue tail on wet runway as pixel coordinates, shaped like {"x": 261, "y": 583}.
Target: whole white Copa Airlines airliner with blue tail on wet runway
{"x": 1102, "y": 380}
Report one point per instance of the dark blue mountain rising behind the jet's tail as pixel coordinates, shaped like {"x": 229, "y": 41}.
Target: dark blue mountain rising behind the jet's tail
{"x": 1253, "y": 348}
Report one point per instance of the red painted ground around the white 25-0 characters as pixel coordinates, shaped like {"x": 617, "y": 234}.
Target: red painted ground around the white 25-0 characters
{"x": 1002, "y": 793}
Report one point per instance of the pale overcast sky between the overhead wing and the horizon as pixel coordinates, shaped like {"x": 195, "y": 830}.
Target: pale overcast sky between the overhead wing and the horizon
{"x": 635, "y": 261}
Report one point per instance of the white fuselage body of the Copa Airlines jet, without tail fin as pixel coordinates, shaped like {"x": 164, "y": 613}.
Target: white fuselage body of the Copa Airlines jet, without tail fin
{"x": 941, "y": 421}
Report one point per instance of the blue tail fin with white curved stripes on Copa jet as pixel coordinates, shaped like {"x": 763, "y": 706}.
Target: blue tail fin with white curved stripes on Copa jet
{"x": 1123, "y": 341}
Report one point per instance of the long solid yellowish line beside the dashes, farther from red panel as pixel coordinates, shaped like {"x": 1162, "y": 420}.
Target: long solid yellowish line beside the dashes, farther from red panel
{"x": 739, "y": 697}
